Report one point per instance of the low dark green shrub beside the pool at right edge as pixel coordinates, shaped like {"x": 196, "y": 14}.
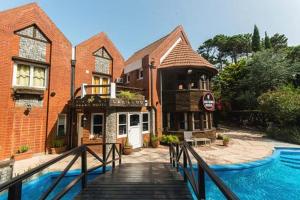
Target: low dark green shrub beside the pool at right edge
{"x": 287, "y": 134}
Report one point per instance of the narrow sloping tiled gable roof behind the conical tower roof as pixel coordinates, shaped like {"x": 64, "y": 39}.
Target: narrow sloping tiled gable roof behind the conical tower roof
{"x": 151, "y": 48}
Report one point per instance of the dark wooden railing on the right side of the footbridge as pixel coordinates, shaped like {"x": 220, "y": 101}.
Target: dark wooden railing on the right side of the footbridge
{"x": 180, "y": 158}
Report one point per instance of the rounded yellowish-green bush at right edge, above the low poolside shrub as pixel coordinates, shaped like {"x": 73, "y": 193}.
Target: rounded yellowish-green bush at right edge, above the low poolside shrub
{"x": 283, "y": 104}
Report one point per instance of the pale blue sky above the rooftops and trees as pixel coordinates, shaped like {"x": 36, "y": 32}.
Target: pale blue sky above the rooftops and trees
{"x": 132, "y": 24}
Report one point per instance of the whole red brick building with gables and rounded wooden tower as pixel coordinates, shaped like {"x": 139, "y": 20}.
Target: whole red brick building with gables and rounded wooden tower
{"x": 88, "y": 94}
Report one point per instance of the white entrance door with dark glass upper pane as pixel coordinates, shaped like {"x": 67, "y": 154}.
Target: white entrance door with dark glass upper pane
{"x": 135, "y": 133}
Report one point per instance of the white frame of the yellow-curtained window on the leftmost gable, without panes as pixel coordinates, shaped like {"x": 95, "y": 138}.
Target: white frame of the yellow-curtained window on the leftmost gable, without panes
{"x": 32, "y": 66}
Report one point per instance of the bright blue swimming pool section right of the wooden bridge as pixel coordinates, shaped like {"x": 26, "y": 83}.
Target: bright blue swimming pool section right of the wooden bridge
{"x": 276, "y": 177}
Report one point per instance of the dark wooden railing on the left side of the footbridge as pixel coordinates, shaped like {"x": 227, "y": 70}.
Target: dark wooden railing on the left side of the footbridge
{"x": 14, "y": 186}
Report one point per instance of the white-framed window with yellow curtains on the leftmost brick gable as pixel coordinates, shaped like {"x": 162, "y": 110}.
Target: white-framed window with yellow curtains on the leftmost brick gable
{"x": 29, "y": 76}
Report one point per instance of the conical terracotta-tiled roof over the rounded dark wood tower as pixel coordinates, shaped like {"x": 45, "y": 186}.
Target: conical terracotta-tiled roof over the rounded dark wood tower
{"x": 183, "y": 55}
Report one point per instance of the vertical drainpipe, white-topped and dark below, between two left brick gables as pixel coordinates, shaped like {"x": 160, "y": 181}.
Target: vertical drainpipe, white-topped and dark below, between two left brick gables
{"x": 71, "y": 109}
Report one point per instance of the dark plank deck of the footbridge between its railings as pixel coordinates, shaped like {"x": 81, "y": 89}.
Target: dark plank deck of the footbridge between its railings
{"x": 138, "y": 181}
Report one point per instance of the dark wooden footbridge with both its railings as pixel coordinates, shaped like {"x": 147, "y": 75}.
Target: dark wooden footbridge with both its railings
{"x": 130, "y": 181}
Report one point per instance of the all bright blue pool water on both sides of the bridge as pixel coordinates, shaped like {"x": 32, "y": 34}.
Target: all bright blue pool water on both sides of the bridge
{"x": 276, "y": 177}
